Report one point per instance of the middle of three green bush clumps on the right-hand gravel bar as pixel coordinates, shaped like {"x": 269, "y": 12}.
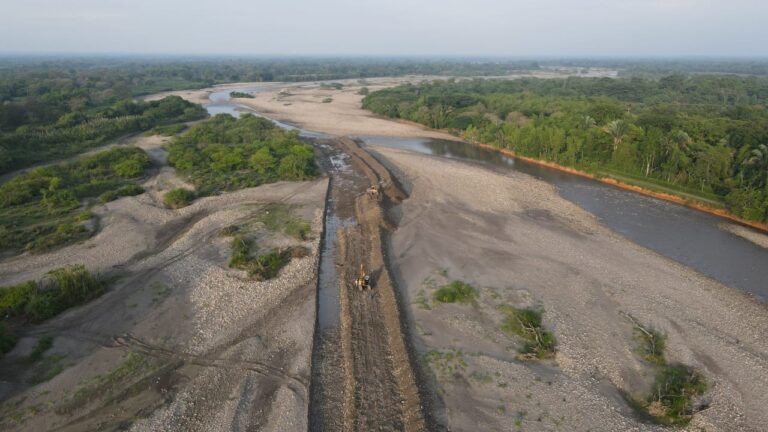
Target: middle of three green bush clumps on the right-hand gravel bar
{"x": 527, "y": 324}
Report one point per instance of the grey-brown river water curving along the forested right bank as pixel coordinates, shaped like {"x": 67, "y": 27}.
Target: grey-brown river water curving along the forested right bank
{"x": 685, "y": 235}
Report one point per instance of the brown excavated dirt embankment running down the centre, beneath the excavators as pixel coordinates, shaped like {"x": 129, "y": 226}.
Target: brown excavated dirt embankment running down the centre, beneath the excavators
{"x": 380, "y": 389}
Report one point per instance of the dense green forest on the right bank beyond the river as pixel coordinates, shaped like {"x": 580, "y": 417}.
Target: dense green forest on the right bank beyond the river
{"x": 700, "y": 135}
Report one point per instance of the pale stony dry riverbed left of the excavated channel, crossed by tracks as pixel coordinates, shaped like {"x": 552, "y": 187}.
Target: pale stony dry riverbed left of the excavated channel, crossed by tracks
{"x": 179, "y": 341}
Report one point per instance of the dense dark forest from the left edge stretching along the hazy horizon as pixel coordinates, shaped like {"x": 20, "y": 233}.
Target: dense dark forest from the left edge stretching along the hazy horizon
{"x": 52, "y": 108}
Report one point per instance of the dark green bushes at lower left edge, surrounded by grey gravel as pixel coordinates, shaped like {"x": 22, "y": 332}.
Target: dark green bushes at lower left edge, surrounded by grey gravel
{"x": 33, "y": 302}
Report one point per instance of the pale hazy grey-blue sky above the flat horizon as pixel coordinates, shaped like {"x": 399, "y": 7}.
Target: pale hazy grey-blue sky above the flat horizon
{"x": 387, "y": 27}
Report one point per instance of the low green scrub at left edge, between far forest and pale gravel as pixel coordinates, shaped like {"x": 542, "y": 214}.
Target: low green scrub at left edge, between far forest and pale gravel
{"x": 46, "y": 207}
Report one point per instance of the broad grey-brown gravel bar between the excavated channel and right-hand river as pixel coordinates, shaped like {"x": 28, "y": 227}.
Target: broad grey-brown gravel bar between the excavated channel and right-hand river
{"x": 520, "y": 244}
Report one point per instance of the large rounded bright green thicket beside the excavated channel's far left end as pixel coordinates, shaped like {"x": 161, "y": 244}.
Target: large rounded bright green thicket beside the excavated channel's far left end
{"x": 224, "y": 154}
